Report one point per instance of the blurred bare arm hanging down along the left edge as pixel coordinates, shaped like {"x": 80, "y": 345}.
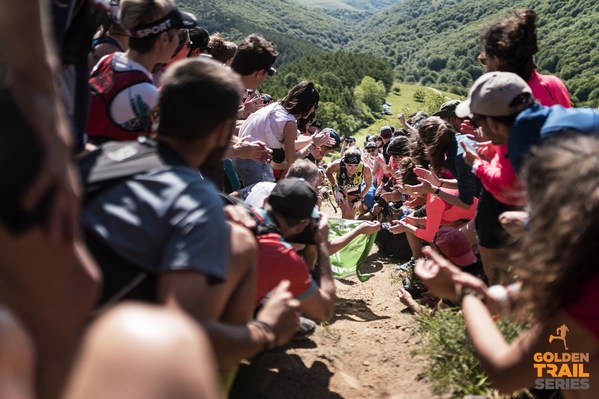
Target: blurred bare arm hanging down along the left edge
{"x": 33, "y": 63}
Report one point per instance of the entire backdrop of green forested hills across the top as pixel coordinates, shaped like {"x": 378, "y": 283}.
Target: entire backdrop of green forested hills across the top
{"x": 429, "y": 42}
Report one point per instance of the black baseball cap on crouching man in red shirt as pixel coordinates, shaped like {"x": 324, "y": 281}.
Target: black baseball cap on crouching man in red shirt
{"x": 294, "y": 198}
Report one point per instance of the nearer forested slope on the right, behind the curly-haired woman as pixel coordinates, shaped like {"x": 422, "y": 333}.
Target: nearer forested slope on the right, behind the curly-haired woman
{"x": 435, "y": 42}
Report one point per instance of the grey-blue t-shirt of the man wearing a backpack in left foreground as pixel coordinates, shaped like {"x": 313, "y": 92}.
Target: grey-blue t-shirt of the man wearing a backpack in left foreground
{"x": 167, "y": 219}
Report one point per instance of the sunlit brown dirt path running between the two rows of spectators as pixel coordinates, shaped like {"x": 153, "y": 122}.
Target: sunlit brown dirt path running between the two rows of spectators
{"x": 365, "y": 352}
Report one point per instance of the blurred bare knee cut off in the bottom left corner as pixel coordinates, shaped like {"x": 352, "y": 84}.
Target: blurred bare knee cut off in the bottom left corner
{"x": 17, "y": 360}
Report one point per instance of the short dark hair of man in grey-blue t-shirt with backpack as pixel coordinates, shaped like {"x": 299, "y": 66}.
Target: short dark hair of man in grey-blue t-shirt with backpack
{"x": 197, "y": 94}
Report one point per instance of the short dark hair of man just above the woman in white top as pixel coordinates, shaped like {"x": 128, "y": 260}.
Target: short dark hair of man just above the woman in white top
{"x": 254, "y": 53}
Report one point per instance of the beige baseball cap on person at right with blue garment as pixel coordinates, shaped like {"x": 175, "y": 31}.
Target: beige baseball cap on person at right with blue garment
{"x": 492, "y": 95}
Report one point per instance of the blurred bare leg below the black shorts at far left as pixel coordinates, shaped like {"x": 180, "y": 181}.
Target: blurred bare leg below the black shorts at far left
{"x": 51, "y": 286}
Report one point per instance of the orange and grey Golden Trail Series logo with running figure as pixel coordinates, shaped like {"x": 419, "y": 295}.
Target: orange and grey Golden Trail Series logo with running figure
{"x": 561, "y": 370}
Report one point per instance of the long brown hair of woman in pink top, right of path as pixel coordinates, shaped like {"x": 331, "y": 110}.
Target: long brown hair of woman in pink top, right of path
{"x": 436, "y": 134}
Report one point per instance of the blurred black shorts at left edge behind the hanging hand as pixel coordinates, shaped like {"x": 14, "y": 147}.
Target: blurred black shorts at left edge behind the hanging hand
{"x": 20, "y": 158}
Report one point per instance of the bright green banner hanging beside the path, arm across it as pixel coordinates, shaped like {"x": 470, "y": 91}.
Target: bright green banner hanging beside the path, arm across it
{"x": 347, "y": 261}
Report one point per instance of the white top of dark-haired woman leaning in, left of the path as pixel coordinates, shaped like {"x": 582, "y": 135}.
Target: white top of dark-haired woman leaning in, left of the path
{"x": 267, "y": 125}
